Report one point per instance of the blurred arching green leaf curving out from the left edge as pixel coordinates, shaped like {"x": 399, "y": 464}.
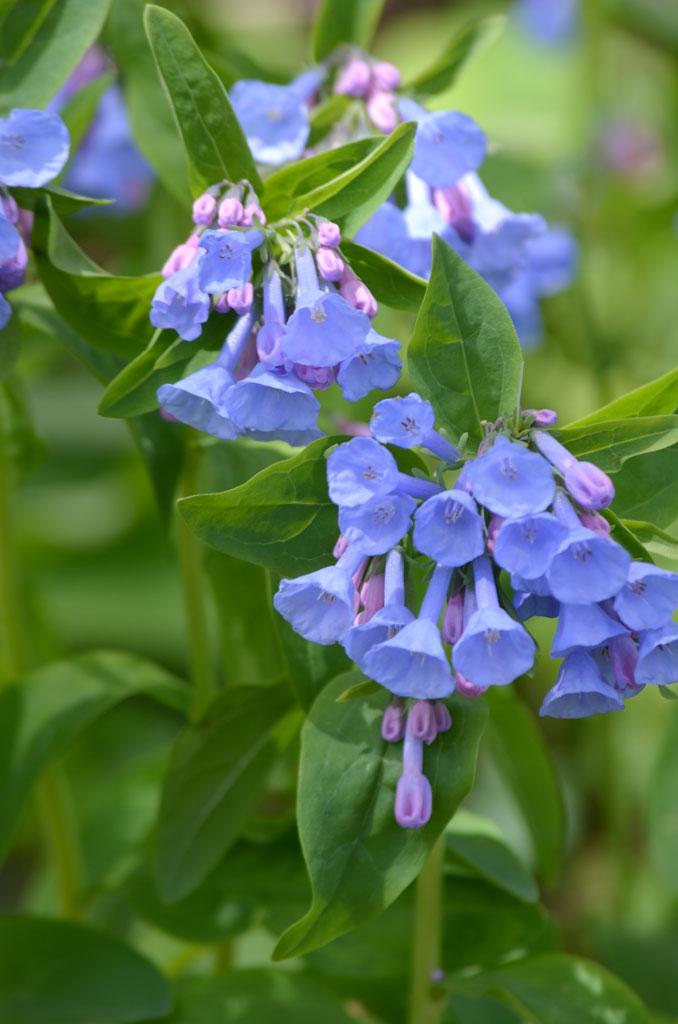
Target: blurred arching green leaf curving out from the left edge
{"x": 55, "y": 704}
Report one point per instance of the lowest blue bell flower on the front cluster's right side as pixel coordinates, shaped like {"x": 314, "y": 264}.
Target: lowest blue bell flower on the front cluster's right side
{"x": 580, "y": 691}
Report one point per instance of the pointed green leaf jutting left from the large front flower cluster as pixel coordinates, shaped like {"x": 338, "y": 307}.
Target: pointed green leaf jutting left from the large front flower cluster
{"x": 282, "y": 519}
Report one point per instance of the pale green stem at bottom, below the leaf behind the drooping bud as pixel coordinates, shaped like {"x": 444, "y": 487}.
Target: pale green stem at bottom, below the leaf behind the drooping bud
{"x": 425, "y": 1007}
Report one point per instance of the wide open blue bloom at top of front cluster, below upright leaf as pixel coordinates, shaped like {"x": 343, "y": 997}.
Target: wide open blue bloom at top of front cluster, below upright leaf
{"x": 511, "y": 481}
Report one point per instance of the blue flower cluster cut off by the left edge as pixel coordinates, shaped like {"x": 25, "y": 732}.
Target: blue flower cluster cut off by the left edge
{"x": 34, "y": 148}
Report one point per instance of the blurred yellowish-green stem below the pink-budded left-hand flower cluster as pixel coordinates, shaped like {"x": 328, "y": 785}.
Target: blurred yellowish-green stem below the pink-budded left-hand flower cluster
{"x": 190, "y": 561}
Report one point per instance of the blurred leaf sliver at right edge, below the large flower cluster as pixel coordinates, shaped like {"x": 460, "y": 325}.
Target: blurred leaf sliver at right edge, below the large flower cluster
{"x": 662, "y": 812}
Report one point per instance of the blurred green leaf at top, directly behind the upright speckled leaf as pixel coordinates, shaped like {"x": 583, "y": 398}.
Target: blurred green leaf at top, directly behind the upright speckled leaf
{"x": 151, "y": 118}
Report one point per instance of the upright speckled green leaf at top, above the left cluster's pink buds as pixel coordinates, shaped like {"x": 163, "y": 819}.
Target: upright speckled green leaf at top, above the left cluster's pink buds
{"x": 215, "y": 143}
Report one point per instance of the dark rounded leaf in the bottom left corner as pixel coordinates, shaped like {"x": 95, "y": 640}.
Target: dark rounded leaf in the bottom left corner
{"x": 54, "y": 972}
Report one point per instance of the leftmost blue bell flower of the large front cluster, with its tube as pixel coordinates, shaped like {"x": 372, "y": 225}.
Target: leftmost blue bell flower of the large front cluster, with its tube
{"x": 320, "y": 606}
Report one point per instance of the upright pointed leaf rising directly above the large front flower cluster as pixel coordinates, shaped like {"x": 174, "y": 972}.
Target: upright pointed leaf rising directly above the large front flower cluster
{"x": 464, "y": 356}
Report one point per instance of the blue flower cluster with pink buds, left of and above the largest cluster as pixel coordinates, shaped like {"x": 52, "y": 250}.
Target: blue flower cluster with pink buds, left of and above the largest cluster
{"x": 305, "y": 322}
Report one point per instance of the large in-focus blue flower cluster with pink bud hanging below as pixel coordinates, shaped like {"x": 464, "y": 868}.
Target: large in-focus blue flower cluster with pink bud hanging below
{"x": 519, "y": 534}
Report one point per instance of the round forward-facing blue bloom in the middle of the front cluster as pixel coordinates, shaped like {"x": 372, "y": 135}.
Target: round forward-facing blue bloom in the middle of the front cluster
{"x": 450, "y": 529}
